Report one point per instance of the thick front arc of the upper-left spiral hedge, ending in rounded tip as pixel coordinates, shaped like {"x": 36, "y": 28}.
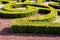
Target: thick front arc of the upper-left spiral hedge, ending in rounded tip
{"x": 16, "y": 14}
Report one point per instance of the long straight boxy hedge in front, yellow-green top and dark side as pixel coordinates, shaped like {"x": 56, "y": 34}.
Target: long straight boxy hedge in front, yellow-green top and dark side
{"x": 35, "y": 27}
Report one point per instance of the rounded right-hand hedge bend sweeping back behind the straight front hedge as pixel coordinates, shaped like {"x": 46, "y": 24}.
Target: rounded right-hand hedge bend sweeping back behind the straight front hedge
{"x": 52, "y": 15}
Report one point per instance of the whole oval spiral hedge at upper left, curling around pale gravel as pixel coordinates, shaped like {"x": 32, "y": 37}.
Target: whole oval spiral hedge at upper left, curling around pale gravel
{"x": 32, "y": 9}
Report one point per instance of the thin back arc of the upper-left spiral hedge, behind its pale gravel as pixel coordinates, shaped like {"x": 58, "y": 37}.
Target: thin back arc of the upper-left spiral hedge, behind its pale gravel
{"x": 11, "y": 6}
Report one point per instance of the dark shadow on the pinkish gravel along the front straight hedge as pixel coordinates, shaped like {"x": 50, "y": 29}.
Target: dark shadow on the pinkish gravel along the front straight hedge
{"x": 7, "y": 32}
